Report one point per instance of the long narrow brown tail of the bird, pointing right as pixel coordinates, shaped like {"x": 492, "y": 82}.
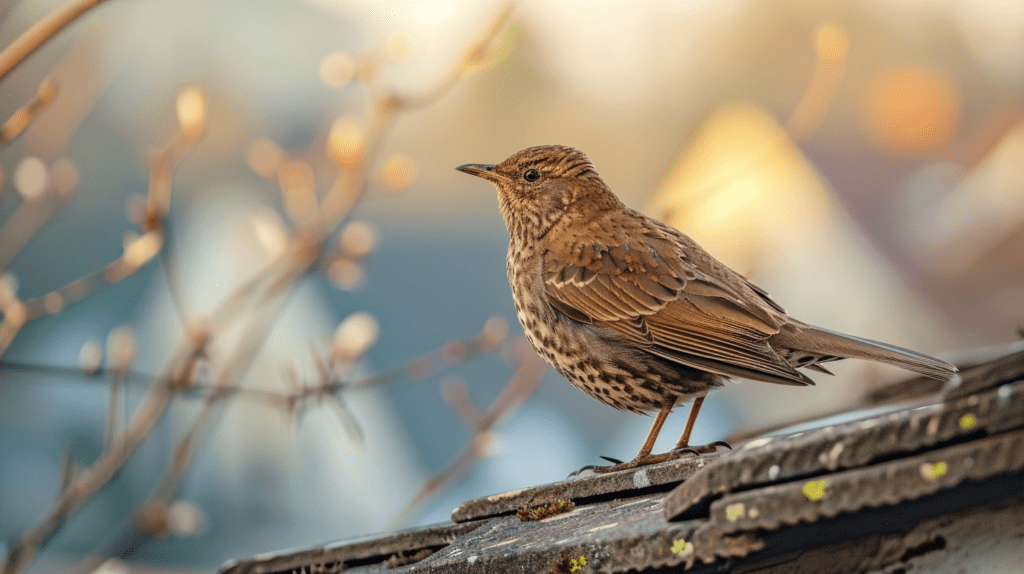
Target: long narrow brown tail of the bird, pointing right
{"x": 829, "y": 343}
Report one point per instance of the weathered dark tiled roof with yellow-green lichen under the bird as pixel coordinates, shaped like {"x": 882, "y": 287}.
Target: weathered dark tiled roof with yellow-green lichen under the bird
{"x": 919, "y": 485}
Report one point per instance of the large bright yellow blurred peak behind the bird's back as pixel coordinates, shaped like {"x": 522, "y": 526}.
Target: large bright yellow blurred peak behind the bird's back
{"x": 741, "y": 185}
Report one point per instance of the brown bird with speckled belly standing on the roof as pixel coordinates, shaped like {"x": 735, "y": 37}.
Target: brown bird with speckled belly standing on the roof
{"x": 635, "y": 314}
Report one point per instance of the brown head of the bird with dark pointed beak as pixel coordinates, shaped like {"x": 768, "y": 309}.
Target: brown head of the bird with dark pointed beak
{"x": 539, "y": 186}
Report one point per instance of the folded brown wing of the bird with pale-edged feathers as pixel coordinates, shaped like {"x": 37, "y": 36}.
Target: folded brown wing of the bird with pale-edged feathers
{"x": 639, "y": 282}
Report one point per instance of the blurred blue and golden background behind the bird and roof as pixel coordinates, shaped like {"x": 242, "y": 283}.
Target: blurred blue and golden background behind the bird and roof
{"x": 863, "y": 161}
